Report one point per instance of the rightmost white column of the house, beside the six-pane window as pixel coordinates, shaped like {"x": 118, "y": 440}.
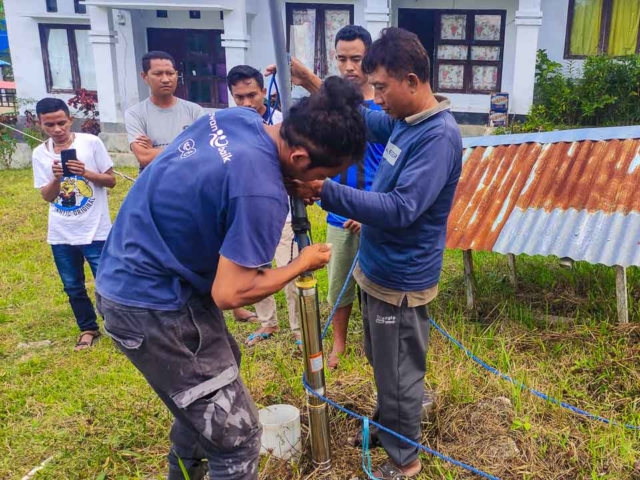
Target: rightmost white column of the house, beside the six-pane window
{"x": 528, "y": 21}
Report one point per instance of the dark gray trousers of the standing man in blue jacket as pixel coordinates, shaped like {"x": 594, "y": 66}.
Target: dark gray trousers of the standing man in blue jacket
{"x": 396, "y": 340}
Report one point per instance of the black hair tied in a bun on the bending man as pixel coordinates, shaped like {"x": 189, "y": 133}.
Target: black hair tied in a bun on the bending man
{"x": 328, "y": 124}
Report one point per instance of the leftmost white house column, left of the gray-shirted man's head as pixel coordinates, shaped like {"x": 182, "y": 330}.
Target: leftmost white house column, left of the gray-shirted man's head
{"x": 103, "y": 40}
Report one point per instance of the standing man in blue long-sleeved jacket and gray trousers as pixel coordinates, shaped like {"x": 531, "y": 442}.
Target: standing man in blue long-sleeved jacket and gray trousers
{"x": 404, "y": 220}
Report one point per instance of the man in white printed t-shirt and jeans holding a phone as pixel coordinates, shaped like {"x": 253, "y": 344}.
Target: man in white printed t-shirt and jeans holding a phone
{"x": 79, "y": 221}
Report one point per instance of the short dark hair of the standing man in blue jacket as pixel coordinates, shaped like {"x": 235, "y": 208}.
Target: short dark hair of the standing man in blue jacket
{"x": 400, "y": 52}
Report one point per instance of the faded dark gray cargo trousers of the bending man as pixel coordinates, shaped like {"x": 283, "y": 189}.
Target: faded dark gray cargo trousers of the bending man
{"x": 192, "y": 362}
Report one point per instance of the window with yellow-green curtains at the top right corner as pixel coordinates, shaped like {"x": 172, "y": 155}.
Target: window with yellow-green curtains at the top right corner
{"x": 608, "y": 27}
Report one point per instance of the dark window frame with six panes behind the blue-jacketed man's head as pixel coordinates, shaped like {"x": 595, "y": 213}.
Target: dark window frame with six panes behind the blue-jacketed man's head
{"x": 469, "y": 42}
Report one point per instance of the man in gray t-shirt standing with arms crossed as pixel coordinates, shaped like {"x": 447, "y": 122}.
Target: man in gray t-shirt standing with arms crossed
{"x": 155, "y": 122}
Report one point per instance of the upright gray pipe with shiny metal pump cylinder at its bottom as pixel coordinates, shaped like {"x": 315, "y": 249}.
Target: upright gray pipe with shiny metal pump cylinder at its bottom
{"x": 308, "y": 309}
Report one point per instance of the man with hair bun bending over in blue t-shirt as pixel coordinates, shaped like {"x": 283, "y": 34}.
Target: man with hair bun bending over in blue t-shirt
{"x": 199, "y": 225}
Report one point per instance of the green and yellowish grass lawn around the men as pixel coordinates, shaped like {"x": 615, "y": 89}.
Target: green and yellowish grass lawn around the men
{"x": 95, "y": 415}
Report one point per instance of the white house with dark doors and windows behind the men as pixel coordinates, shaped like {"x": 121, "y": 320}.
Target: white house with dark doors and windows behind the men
{"x": 477, "y": 46}
